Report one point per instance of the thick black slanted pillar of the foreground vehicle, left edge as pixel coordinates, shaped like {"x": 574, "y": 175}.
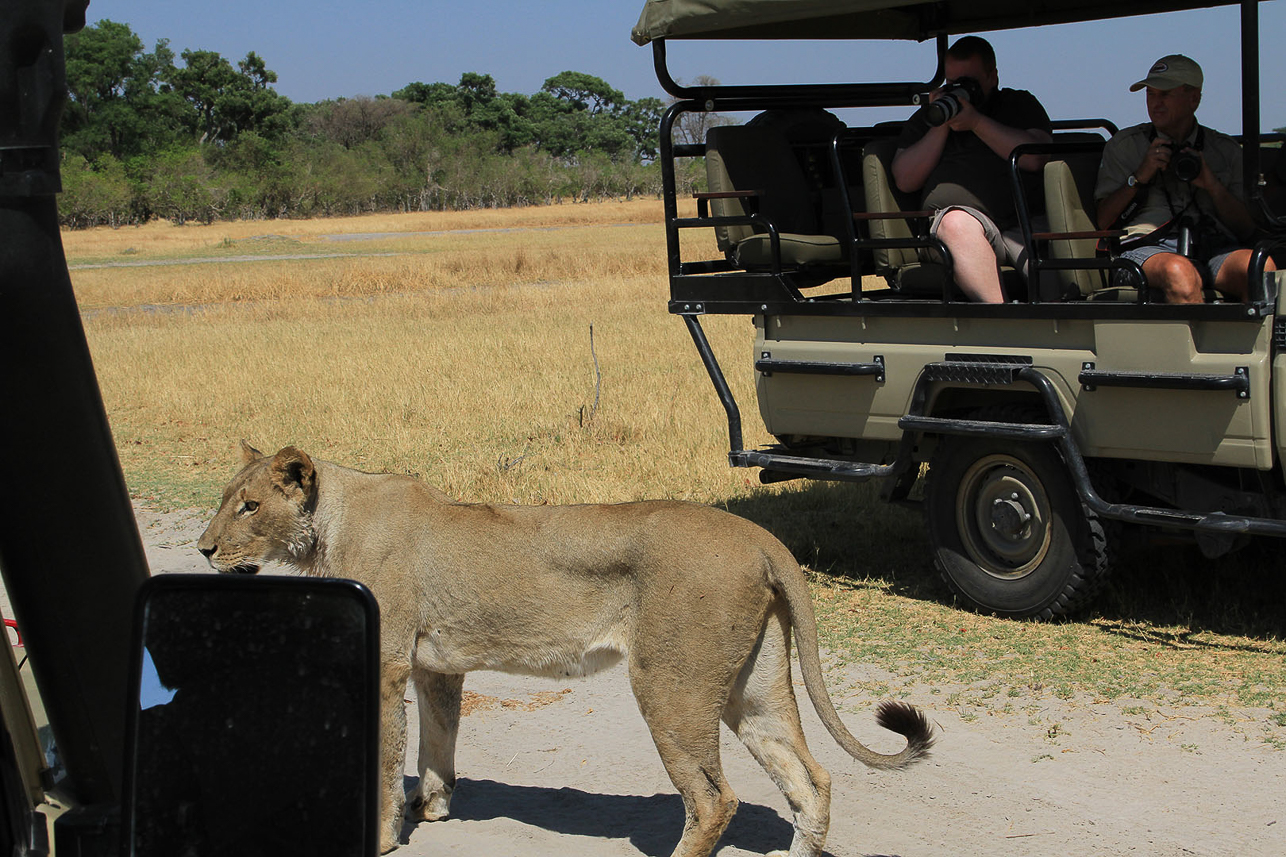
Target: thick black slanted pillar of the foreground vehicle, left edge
{"x": 70, "y": 549}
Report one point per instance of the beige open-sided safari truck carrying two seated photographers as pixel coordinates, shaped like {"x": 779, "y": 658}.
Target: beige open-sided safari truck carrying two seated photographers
{"x": 1047, "y": 424}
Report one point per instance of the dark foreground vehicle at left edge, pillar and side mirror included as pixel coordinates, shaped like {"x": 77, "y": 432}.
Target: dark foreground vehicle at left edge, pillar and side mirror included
{"x": 89, "y": 735}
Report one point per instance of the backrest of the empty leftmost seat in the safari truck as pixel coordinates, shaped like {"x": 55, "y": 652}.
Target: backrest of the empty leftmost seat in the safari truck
{"x": 741, "y": 158}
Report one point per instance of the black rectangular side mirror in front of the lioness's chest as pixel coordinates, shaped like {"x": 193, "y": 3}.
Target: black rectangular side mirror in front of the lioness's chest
{"x": 257, "y": 728}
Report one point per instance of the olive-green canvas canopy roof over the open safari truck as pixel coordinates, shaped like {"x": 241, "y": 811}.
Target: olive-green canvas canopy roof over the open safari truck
{"x": 875, "y": 19}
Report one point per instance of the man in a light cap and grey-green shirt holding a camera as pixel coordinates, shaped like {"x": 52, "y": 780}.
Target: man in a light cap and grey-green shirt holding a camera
{"x": 1176, "y": 187}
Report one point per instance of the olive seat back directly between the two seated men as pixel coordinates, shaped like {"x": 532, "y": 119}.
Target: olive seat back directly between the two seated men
{"x": 1069, "y": 190}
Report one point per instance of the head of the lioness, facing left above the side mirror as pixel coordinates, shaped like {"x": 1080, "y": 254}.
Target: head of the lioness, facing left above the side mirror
{"x": 267, "y": 515}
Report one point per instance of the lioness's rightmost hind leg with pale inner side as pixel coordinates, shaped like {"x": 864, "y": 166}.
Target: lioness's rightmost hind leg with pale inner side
{"x": 763, "y": 712}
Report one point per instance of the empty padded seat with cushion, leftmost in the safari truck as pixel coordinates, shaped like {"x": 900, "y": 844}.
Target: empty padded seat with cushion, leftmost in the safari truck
{"x": 759, "y": 163}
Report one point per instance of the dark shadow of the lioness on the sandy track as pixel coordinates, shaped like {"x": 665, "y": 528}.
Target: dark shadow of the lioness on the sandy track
{"x": 653, "y": 824}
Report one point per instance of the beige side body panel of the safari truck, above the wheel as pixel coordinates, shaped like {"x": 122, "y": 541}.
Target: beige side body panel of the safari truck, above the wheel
{"x": 1230, "y": 428}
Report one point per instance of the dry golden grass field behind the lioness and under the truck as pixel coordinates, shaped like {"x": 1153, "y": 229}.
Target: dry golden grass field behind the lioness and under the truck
{"x": 528, "y": 357}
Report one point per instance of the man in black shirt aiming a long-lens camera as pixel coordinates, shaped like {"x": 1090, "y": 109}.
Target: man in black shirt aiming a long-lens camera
{"x": 956, "y": 154}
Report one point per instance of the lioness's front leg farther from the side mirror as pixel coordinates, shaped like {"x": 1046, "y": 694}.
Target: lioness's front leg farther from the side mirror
{"x": 439, "y": 702}
